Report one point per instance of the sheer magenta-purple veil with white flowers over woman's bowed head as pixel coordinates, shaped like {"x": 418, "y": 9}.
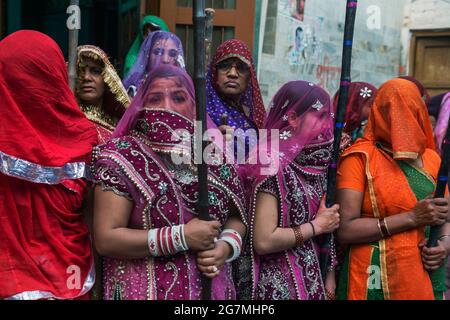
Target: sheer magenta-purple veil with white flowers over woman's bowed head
{"x": 301, "y": 115}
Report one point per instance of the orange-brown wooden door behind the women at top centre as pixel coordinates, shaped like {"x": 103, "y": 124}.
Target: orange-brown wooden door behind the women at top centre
{"x": 233, "y": 19}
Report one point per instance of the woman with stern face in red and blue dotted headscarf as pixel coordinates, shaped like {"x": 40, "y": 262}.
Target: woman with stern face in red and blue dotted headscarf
{"x": 233, "y": 92}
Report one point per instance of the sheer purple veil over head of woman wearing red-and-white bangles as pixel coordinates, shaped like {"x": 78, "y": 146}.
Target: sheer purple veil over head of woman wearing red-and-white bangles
{"x": 181, "y": 80}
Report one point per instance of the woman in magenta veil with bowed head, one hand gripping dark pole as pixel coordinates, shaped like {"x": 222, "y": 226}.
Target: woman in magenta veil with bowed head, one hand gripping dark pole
{"x": 288, "y": 214}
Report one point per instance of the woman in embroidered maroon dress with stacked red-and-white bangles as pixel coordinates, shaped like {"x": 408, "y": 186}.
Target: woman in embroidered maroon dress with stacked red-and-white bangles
{"x": 145, "y": 218}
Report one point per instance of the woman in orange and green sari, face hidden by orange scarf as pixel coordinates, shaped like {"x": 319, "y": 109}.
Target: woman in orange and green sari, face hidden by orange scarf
{"x": 385, "y": 184}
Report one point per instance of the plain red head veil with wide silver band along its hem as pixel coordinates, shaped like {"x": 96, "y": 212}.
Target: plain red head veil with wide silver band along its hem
{"x": 40, "y": 120}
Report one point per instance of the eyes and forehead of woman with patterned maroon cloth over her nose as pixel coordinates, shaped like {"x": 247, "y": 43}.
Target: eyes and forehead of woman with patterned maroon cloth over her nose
{"x": 169, "y": 94}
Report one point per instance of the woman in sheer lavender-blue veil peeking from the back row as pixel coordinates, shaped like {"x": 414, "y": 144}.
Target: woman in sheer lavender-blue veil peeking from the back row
{"x": 160, "y": 47}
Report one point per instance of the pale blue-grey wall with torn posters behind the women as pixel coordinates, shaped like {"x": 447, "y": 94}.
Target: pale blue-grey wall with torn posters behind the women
{"x": 317, "y": 57}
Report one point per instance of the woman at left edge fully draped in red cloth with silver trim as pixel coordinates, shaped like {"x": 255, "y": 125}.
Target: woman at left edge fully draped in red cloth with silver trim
{"x": 44, "y": 142}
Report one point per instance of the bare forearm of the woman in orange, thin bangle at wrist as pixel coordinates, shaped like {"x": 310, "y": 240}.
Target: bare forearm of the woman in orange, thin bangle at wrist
{"x": 366, "y": 230}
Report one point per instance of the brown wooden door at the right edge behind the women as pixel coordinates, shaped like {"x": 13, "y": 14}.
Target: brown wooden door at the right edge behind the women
{"x": 430, "y": 60}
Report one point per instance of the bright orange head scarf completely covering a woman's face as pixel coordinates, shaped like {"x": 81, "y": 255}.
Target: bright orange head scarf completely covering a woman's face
{"x": 399, "y": 118}
